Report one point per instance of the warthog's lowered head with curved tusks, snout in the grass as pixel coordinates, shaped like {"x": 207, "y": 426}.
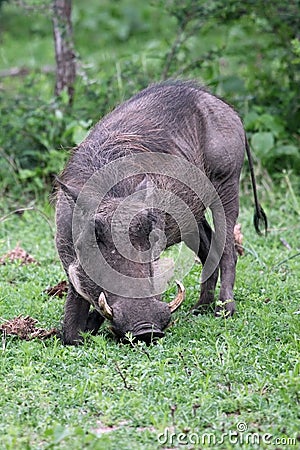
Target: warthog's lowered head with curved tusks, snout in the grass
{"x": 117, "y": 247}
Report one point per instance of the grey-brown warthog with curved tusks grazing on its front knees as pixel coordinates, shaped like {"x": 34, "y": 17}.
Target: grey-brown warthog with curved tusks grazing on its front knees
{"x": 139, "y": 183}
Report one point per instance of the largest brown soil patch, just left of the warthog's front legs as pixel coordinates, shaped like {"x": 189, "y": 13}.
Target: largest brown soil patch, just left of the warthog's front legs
{"x": 25, "y": 328}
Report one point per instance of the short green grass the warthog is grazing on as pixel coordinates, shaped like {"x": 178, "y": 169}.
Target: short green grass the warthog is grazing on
{"x": 206, "y": 376}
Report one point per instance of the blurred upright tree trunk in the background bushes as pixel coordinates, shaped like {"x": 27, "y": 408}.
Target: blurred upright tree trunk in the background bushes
{"x": 64, "y": 48}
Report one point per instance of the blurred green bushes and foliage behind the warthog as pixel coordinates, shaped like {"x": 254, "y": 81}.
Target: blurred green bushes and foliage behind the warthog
{"x": 245, "y": 51}
